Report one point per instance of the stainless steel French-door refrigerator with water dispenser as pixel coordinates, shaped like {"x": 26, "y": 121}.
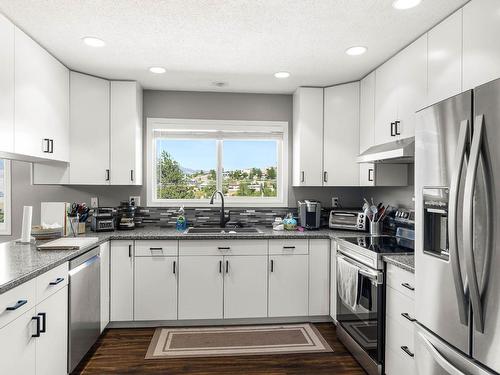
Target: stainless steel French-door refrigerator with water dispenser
{"x": 457, "y": 249}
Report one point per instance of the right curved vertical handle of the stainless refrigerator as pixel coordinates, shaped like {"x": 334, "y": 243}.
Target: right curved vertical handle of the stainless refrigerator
{"x": 478, "y": 151}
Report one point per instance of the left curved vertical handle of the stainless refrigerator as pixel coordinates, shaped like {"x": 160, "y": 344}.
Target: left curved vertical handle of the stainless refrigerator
{"x": 461, "y": 155}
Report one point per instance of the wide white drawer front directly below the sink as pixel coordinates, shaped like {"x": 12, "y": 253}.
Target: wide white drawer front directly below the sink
{"x": 223, "y": 247}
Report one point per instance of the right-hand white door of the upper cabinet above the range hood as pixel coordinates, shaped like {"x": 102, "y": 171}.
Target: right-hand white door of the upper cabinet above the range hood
{"x": 411, "y": 80}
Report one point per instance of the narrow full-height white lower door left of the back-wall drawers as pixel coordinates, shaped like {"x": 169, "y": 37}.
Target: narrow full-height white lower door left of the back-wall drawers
{"x": 122, "y": 281}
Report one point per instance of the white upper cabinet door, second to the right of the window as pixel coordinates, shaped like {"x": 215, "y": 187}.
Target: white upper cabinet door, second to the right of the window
{"x": 341, "y": 135}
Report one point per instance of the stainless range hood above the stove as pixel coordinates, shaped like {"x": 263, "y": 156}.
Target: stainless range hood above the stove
{"x": 400, "y": 151}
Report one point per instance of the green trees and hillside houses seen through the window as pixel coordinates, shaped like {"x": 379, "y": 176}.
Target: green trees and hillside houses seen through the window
{"x": 174, "y": 182}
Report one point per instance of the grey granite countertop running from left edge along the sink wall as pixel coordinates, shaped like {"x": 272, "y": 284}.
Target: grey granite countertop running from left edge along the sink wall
{"x": 22, "y": 262}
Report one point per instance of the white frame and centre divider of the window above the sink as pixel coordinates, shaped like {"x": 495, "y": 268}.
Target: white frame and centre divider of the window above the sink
{"x": 242, "y": 130}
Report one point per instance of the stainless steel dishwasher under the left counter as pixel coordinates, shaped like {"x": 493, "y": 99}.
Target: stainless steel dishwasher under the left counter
{"x": 84, "y": 305}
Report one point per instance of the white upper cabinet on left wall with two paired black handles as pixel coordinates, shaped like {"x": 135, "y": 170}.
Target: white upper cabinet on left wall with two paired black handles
{"x": 41, "y": 102}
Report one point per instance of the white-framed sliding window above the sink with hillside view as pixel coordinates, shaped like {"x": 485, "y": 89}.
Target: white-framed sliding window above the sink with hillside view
{"x": 190, "y": 159}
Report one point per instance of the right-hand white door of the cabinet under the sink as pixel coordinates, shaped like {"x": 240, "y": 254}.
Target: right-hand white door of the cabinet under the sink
{"x": 245, "y": 286}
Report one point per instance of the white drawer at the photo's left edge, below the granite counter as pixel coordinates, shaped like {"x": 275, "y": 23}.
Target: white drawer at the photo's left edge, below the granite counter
{"x": 17, "y": 301}
